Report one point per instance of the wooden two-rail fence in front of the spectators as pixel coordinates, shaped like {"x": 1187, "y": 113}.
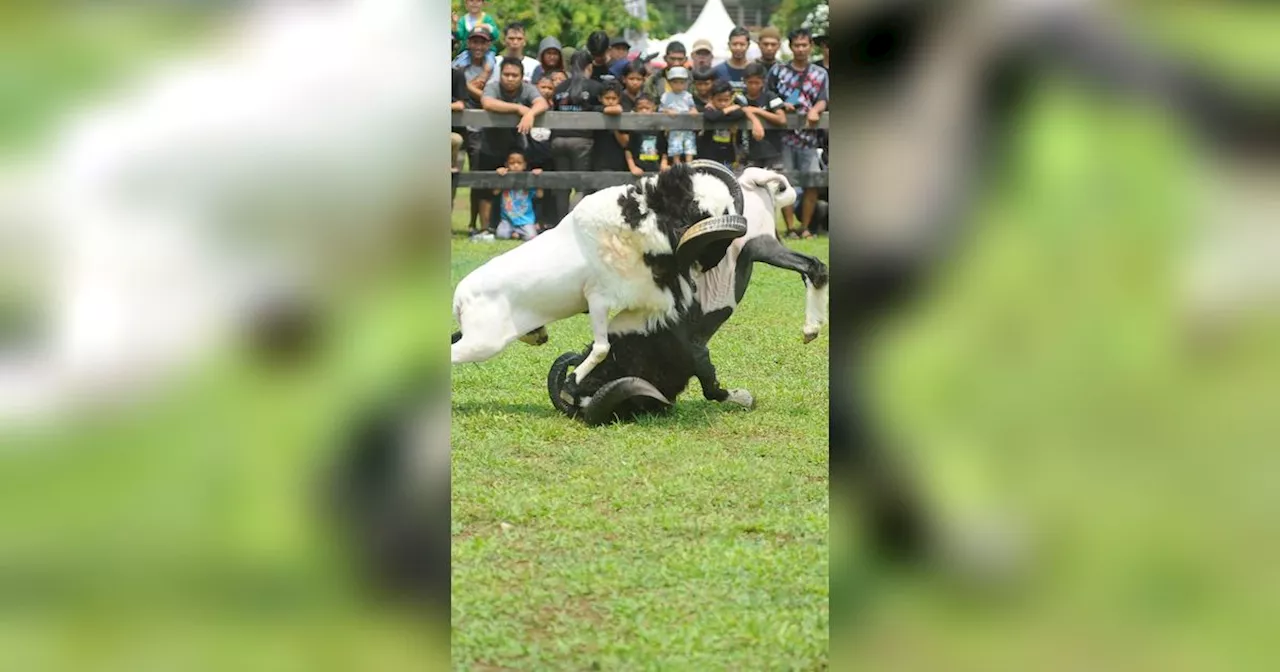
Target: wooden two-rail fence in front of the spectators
{"x": 605, "y": 122}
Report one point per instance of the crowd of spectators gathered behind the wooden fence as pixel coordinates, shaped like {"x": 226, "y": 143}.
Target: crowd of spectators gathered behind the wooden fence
{"x": 606, "y": 77}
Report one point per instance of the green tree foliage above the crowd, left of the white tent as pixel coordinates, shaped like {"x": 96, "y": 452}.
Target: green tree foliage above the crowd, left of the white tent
{"x": 569, "y": 21}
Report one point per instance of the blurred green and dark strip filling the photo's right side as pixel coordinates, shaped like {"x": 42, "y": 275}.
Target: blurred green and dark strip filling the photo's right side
{"x": 1085, "y": 390}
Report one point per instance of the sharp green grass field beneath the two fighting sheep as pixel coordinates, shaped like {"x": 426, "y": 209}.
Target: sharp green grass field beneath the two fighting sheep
{"x": 691, "y": 542}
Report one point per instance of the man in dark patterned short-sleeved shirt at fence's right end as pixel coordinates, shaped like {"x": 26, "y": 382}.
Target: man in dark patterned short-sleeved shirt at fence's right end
{"x": 803, "y": 89}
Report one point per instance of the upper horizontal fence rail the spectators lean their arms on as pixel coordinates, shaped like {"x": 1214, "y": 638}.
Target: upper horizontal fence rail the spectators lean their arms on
{"x": 621, "y": 122}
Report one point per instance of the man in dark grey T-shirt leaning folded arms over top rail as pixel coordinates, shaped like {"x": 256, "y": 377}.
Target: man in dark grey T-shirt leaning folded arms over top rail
{"x": 511, "y": 94}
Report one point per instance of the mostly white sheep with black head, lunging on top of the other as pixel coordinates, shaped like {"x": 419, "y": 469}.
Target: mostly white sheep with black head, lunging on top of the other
{"x": 627, "y": 252}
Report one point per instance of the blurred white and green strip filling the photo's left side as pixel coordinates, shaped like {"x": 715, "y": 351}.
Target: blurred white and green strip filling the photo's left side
{"x": 179, "y": 513}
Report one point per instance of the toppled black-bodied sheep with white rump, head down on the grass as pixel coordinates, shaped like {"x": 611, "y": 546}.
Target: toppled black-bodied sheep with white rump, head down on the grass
{"x": 648, "y": 368}
